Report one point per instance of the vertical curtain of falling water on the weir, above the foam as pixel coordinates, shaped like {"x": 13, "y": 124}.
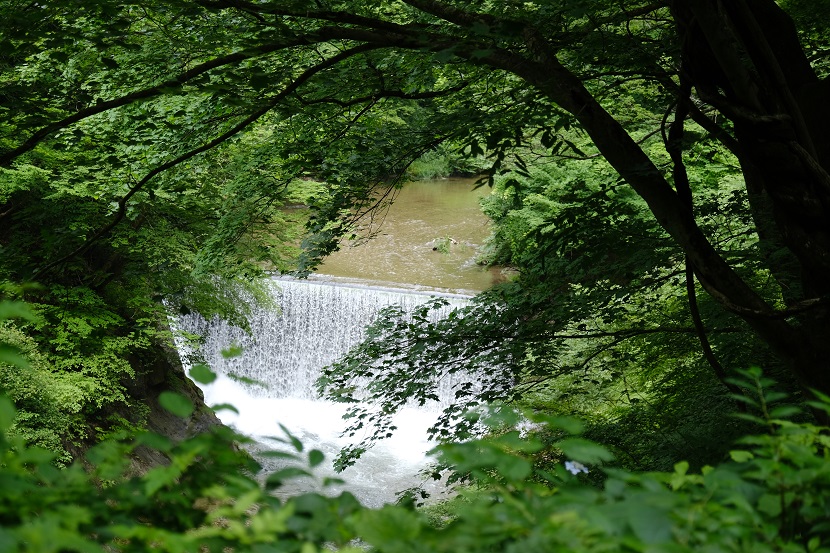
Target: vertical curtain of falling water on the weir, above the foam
{"x": 316, "y": 324}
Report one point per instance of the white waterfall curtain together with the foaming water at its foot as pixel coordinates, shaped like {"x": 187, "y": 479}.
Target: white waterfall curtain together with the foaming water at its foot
{"x": 316, "y": 324}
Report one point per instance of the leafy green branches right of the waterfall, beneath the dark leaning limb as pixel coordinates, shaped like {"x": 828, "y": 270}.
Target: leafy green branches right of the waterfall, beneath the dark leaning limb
{"x": 596, "y": 325}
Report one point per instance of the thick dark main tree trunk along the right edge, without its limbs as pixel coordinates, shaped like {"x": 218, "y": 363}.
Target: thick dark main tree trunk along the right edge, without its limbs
{"x": 747, "y": 62}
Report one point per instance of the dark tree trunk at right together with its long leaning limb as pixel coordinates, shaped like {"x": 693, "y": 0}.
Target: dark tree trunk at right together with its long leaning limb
{"x": 746, "y": 63}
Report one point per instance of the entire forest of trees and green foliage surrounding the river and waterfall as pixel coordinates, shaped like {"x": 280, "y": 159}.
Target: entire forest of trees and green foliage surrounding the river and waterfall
{"x": 655, "y": 378}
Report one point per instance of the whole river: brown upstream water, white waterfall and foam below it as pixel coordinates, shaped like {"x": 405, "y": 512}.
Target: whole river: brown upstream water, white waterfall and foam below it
{"x": 319, "y": 320}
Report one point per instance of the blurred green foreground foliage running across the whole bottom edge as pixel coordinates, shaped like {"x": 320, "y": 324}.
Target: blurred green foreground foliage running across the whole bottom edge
{"x": 771, "y": 495}
